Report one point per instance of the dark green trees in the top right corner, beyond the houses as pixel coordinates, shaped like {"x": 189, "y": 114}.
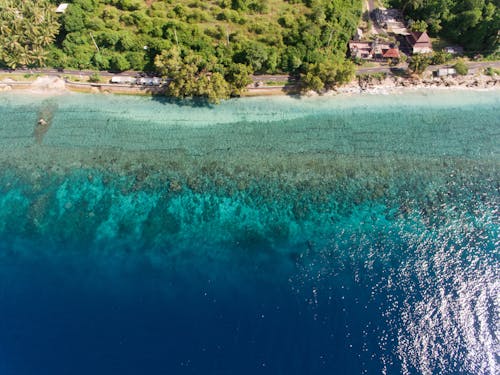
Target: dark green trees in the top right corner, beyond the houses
{"x": 473, "y": 24}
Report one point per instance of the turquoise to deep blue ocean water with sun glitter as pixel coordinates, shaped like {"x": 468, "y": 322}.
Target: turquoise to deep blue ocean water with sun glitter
{"x": 338, "y": 235}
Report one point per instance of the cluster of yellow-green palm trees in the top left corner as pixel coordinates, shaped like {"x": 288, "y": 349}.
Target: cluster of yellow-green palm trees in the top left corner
{"x": 27, "y": 30}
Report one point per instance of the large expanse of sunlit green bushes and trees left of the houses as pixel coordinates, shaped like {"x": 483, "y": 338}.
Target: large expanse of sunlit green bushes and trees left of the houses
{"x": 207, "y": 47}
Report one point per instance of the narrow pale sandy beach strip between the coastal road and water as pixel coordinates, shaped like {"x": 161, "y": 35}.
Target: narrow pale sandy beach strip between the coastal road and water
{"x": 366, "y": 84}
